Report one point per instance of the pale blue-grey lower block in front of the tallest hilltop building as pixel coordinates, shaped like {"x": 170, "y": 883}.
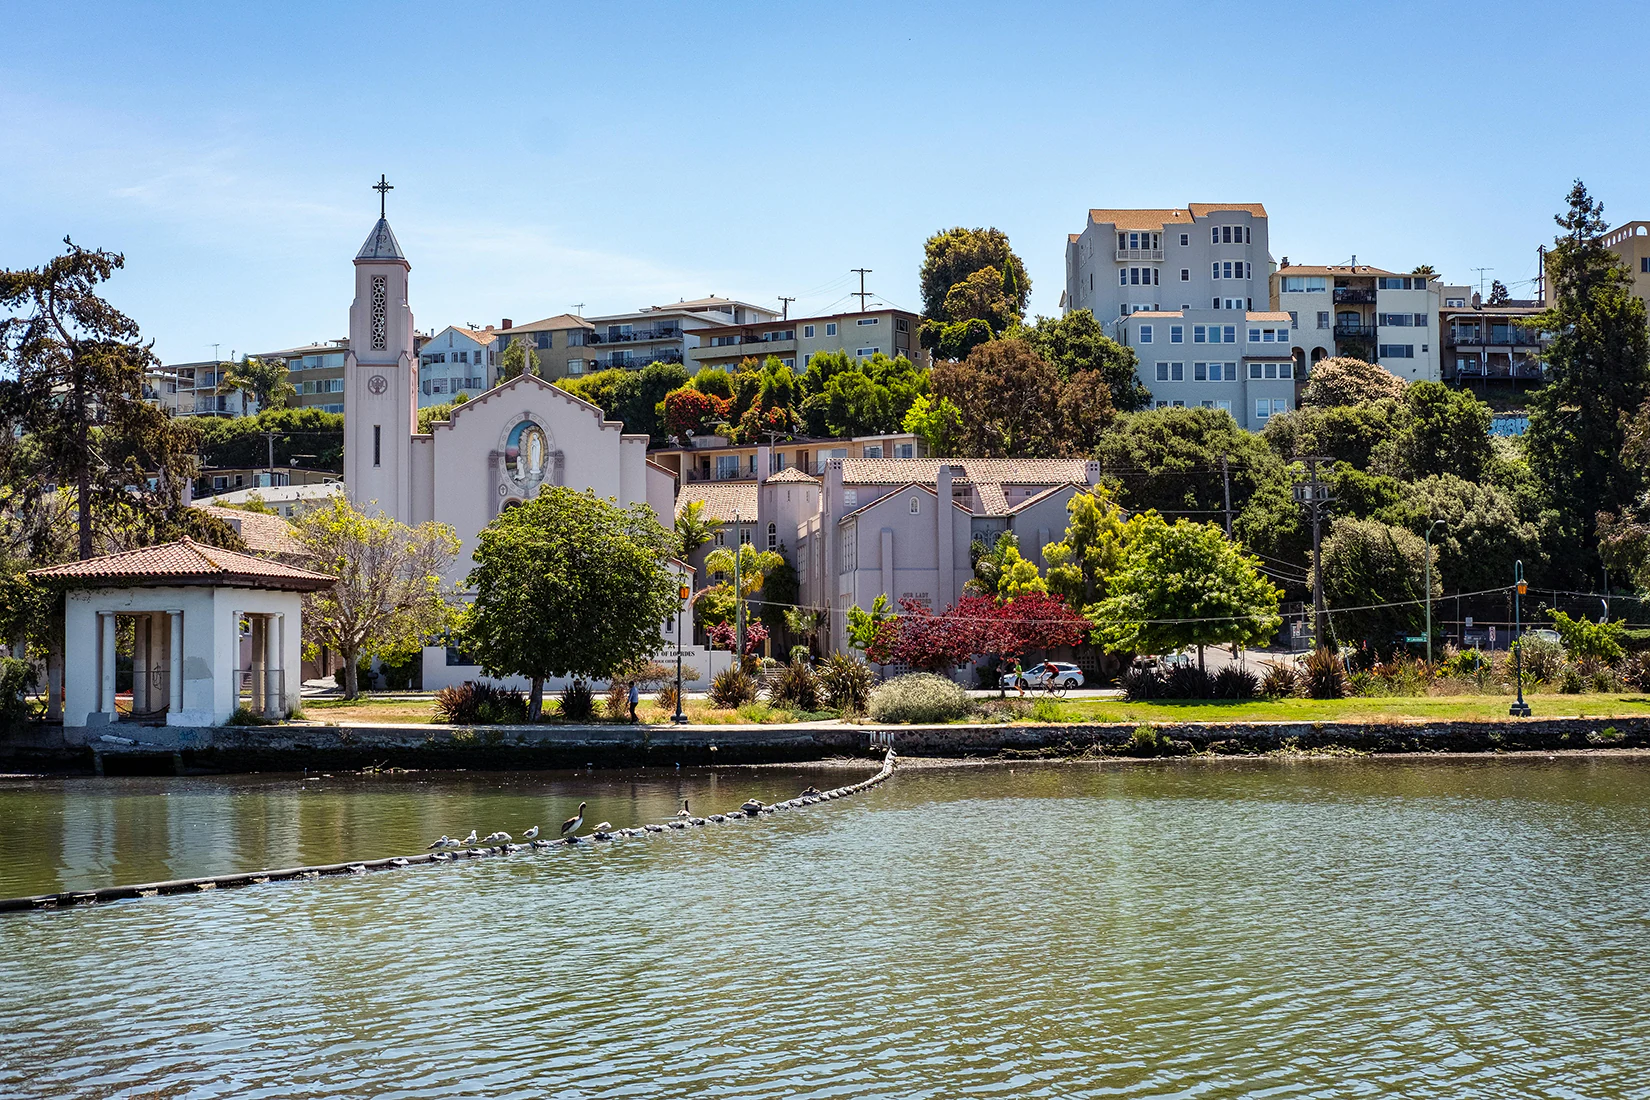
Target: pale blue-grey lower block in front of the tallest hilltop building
{"x": 1238, "y": 364}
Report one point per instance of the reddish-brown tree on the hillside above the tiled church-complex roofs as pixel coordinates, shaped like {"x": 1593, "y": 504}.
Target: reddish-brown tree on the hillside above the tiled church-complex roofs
{"x": 1011, "y": 398}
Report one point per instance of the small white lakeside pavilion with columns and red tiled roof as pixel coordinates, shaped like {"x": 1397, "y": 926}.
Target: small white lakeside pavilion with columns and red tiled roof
{"x": 187, "y": 604}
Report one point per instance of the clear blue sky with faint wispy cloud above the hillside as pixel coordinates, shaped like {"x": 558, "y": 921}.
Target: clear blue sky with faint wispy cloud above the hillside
{"x": 616, "y": 156}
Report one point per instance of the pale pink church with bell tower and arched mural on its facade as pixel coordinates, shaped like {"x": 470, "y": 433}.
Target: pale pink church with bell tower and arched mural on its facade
{"x": 497, "y": 449}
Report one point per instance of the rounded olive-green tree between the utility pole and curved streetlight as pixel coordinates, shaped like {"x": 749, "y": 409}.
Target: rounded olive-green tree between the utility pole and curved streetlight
{"x": 1377, "y": 573}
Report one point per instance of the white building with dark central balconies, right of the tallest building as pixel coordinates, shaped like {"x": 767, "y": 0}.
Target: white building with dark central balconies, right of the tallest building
{"x": 1362, "y": 313}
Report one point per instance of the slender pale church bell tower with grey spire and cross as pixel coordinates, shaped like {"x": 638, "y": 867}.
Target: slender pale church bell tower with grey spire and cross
{"x": 380, "y": 378}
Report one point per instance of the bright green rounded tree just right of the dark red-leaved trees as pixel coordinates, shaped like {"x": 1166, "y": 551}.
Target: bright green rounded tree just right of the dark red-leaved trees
{"x": 1187, "y": 585}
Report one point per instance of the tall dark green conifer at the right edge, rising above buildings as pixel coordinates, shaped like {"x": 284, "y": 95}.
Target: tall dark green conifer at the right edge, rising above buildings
{"x": 1600, "y": 375}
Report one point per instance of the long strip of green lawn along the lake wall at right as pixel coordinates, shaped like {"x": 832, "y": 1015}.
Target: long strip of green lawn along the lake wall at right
{"x": 1377, "y": 710}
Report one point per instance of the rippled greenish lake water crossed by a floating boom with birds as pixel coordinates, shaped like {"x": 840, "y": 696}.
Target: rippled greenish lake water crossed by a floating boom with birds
{"x": 1232, "y": 929}
